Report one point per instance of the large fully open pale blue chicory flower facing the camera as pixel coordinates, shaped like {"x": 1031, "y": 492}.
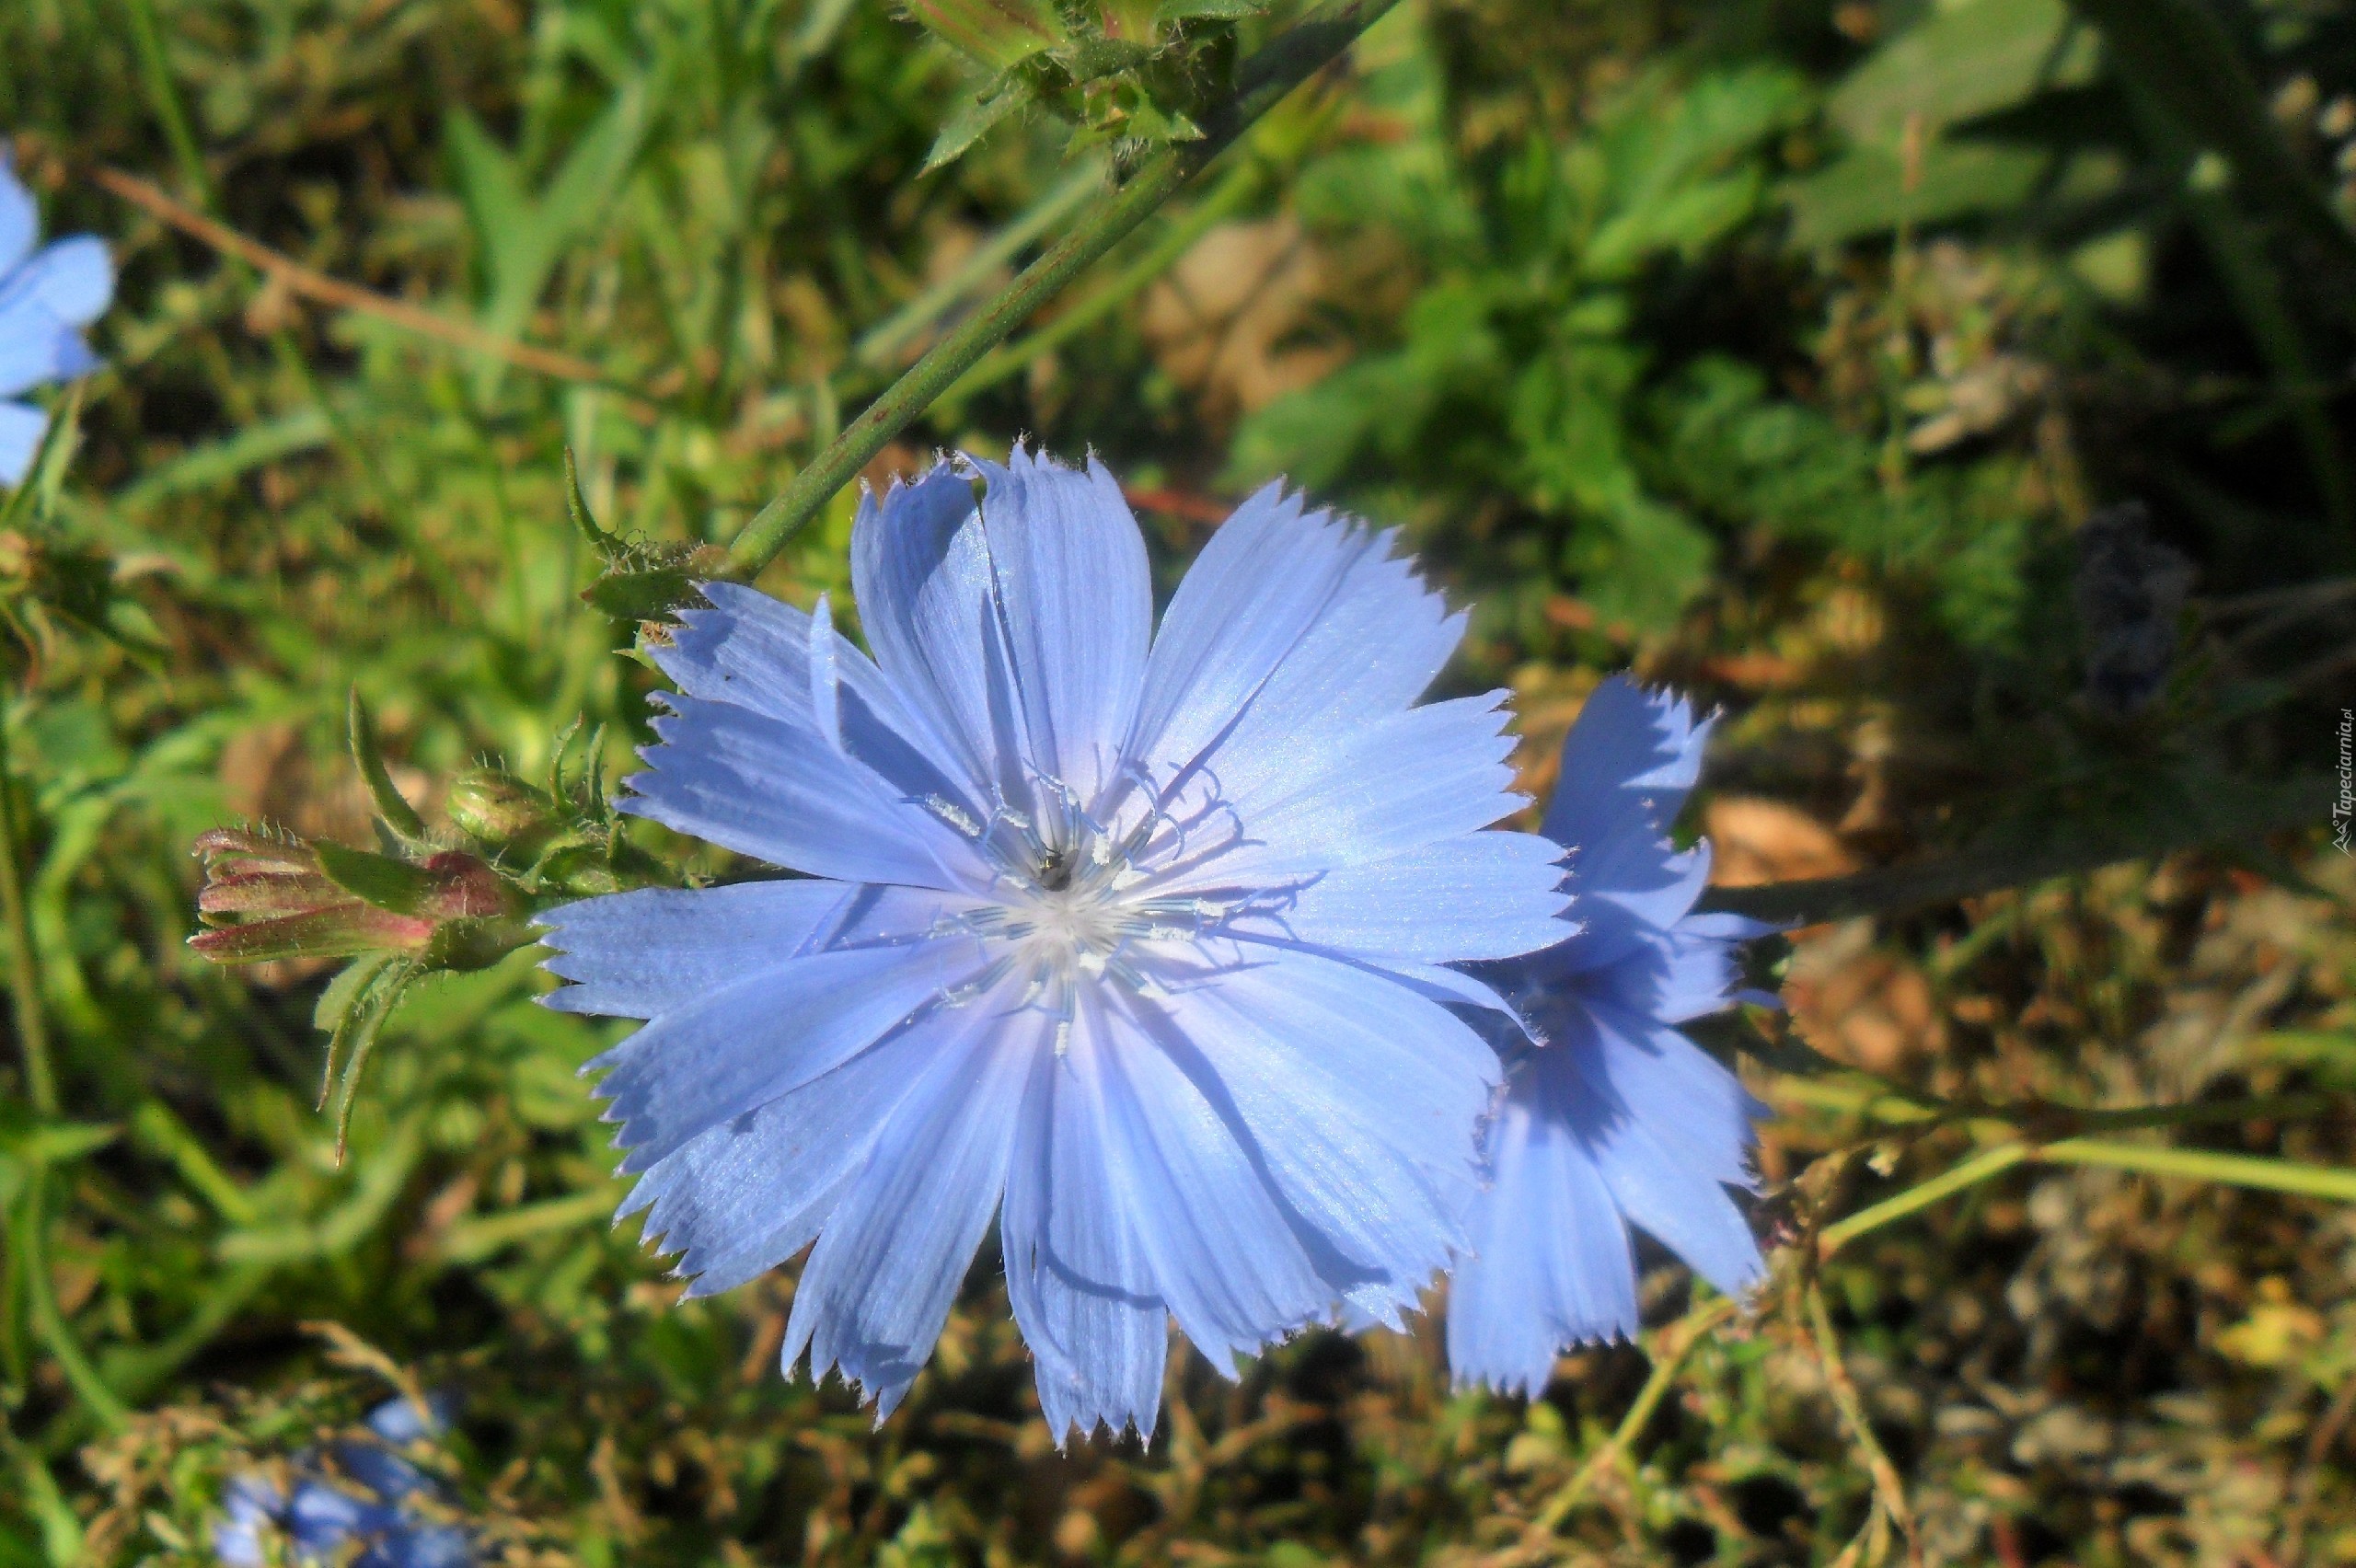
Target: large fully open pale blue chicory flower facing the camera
{"x": 1134, "y": 941}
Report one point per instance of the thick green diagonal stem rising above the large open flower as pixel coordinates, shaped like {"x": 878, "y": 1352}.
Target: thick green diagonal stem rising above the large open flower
{"x": 1266, "y": 79}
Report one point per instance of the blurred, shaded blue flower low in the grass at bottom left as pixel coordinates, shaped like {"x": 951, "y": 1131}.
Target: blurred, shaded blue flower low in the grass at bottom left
{"x": 364, "y": 1517}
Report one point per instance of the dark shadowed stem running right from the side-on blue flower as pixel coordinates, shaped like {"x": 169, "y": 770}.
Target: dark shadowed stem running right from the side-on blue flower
{"x": 1943, "y": 882}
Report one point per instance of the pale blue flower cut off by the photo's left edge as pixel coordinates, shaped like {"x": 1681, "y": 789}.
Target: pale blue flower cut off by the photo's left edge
{"x": 46, "y": 298}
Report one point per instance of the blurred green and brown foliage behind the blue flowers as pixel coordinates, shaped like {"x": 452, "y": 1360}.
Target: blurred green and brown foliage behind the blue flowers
{"x": 1782, "y": 350}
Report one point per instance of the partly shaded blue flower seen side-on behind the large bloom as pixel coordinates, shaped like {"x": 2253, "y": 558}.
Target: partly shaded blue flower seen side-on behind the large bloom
{"x": 1613, "y": 1119}
